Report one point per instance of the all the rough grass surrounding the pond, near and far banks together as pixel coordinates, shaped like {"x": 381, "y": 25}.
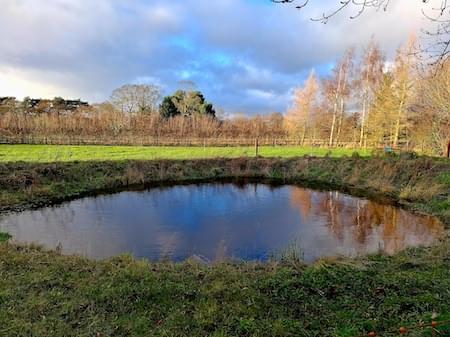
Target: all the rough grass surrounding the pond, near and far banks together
{"x": 46, "y": 294}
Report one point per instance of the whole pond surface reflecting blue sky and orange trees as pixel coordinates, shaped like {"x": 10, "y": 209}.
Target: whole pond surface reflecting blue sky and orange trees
{"x": 220, "y": 221}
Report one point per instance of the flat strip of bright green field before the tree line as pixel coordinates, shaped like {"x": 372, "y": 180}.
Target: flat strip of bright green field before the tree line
{"x": 55, "y": 153}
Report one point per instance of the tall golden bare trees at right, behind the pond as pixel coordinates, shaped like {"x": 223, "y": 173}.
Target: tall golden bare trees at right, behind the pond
{"x": 374, "y": 103}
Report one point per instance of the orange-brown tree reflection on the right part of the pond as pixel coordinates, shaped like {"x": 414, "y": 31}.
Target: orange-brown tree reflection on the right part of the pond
{"x": 365, "y": 221}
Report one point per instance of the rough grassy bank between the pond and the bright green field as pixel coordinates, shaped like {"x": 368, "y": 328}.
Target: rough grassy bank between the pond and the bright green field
{"x": 421, "y": 183}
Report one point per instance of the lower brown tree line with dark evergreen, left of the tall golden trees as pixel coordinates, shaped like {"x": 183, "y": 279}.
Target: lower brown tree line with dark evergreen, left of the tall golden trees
{"x": 133, "y": 111}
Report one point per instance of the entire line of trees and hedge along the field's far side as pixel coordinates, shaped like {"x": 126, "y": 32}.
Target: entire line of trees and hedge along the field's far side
{"x": 364, "y": 101}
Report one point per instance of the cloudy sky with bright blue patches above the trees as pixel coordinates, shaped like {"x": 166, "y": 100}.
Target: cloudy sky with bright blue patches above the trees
{"x": 247, "y": 56}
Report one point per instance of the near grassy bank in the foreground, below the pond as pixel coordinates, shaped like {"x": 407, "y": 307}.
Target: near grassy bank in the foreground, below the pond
{"x": 45, "y": 294}
